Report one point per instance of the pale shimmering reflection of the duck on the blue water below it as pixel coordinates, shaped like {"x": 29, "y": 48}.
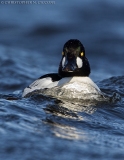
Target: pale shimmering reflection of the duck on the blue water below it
{"x": 62, "y": 116}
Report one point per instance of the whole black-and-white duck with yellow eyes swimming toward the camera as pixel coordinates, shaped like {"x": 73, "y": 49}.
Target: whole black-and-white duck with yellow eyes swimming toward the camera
{"x": 73, "y": 73}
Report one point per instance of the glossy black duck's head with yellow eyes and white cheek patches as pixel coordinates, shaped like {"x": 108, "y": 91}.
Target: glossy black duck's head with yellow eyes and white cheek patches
{"x": 74, "y": 62}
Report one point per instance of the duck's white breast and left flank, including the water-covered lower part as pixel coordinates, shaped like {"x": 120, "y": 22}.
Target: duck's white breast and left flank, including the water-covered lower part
{"x": 68, "y": 87}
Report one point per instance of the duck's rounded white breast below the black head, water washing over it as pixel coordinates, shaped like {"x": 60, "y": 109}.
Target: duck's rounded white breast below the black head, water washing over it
{"x": 70, "y": 88}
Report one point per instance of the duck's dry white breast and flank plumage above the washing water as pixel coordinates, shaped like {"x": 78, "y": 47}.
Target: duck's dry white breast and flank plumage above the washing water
{"x": 76, "y": 84}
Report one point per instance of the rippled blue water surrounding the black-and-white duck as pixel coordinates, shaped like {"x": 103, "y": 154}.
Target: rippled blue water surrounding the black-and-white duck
{"x": 31, "y": 41}
